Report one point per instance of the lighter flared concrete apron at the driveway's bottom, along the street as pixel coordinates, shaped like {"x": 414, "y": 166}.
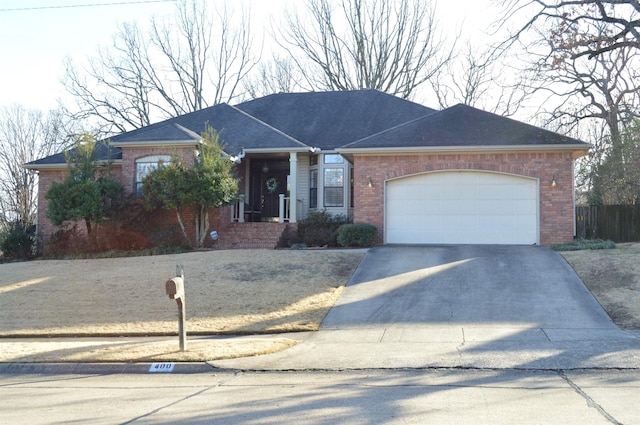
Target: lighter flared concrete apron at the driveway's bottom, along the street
{"x": 453, "y": 347}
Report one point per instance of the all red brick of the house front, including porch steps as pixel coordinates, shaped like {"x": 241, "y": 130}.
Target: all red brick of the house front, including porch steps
{"x": 556, "y": 215}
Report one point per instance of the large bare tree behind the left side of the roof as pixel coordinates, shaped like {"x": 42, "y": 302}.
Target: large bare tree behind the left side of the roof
{"x": 192, "y": 60}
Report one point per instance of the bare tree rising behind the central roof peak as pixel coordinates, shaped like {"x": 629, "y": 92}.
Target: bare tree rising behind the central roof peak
{"x": 389, "y": 45}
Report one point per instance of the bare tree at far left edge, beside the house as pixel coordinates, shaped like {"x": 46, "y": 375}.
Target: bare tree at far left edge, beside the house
{"x": 25, "y": 135}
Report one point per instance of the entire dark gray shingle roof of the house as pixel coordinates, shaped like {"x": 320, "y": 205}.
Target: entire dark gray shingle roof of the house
{"x": 359, "y": 119}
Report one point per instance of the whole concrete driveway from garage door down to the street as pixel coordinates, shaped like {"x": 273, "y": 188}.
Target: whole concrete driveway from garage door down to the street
{"x": 460, "y": 306}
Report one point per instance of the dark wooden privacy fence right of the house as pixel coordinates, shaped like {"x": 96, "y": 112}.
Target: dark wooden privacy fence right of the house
{"x": 618, "y": 223}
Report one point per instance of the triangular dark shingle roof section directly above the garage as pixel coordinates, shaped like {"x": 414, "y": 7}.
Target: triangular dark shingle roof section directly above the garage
{"x": 460, "y": 126}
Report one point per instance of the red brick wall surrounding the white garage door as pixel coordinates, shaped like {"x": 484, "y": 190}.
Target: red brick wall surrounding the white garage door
{"x": 556, "y": 204}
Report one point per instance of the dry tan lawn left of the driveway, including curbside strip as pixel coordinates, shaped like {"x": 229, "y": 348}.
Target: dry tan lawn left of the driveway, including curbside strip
{"x": 234, "y": 292}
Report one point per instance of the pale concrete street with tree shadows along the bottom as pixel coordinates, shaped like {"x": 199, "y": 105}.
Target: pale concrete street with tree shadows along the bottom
{"x": 453, "y": 396}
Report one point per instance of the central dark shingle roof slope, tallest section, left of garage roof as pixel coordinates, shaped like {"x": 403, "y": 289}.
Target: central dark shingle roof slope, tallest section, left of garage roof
{"x": 331, "y": 119}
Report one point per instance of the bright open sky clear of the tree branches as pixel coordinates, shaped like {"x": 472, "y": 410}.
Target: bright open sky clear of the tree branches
{"x": 35, "y": 39}
